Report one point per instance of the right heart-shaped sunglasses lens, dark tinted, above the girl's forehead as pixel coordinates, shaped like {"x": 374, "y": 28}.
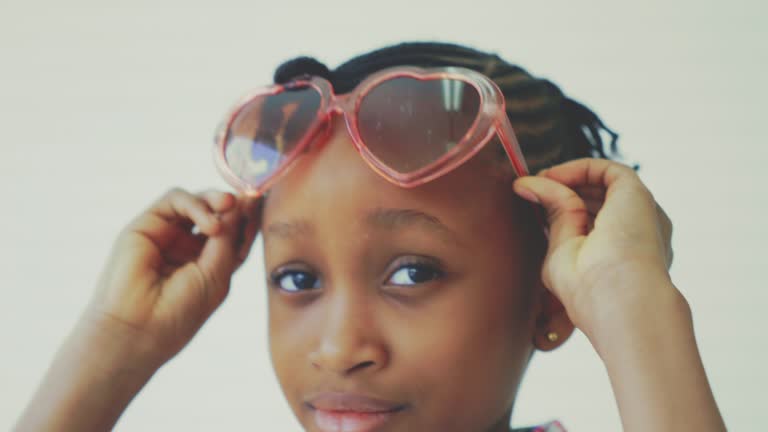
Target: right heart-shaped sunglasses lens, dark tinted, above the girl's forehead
{"x": 408, "y": 124}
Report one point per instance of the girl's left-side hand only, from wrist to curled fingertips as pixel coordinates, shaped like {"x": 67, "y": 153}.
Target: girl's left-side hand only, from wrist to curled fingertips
{"x": 164, "y": 278}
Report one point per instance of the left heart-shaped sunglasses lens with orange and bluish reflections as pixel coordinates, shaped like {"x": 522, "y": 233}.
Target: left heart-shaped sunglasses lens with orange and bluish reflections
{"x": 267, "y": 129}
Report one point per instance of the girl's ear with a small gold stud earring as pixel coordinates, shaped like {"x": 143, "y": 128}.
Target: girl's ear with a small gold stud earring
{"x": 552, "y": 325}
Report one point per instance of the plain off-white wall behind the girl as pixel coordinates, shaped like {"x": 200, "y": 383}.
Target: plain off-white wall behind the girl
{"x": 104, "y": 105}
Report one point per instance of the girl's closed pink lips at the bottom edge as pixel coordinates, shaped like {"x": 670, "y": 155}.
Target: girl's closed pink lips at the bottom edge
{"x": 345, "y": 412}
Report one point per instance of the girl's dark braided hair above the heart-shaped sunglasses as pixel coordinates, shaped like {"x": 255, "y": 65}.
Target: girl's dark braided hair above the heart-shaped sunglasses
{"x": 550, "y": 127}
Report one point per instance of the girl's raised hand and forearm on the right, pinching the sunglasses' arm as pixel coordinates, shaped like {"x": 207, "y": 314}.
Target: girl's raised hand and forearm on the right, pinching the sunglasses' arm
{"x": 607, "y": 261}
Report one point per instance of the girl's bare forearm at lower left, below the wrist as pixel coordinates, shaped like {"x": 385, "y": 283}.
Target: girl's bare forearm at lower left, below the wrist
{"x": 91, "y": 381}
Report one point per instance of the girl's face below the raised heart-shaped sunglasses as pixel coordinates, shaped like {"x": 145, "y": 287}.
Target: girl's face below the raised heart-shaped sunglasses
{"x": 396, "y": 309}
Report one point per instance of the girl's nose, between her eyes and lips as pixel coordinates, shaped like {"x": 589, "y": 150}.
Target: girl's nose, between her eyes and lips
{"x": 350, "y": 342}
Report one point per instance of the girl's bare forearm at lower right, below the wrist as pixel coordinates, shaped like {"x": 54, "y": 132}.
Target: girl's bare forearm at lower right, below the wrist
{"x": 654, "y": 365}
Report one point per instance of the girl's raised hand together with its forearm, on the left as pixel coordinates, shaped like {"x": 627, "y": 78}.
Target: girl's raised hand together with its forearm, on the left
{"x": 161, "y": 282}
